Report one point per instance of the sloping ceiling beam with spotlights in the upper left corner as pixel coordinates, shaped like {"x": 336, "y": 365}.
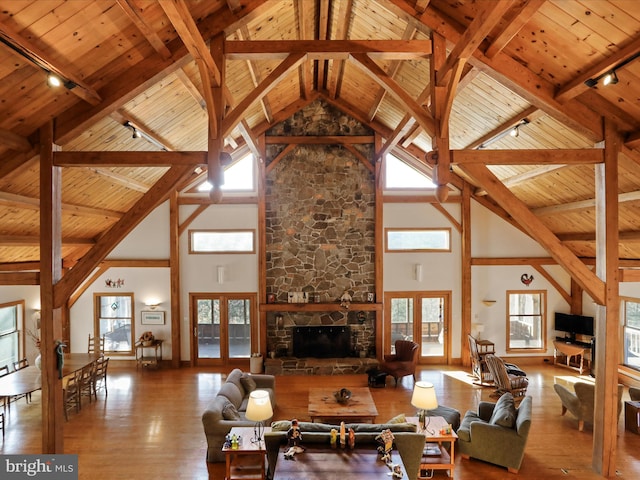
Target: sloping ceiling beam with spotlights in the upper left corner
{"x": 16, "y": 43}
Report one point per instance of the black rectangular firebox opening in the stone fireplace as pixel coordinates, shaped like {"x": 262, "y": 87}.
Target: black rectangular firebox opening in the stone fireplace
{"x": 321, "y": 342}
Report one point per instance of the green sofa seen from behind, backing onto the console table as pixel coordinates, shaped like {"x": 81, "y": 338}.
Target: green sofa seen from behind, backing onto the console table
{"x": 408, "y": 443}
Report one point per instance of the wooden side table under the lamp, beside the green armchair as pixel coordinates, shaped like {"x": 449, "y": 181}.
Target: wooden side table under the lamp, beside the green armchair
{"x": 435, "y": 456}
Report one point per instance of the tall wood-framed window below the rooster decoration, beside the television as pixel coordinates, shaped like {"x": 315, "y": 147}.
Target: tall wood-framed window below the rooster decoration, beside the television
{"x": 526, "y": 320}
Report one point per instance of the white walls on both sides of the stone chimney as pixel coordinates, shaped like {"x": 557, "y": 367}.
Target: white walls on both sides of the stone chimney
{"x": 491, "y": 237}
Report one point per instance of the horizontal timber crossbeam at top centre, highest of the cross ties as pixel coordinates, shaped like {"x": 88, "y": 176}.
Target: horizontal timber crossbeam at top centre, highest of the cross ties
{"x": 327, "y": 49}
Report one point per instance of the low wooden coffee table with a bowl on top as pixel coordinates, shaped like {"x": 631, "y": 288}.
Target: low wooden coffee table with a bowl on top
{"x": 323, "y": 405}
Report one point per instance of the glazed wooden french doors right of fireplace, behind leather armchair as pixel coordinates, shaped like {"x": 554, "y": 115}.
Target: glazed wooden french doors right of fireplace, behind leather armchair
{"x": 423, "y": 317}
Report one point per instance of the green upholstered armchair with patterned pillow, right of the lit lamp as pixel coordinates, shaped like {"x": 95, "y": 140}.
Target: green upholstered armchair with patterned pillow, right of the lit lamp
{"x": 497, "y": 433}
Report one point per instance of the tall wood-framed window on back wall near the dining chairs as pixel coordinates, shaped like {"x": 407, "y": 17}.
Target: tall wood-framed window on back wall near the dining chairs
{"x": 114, "y": 320}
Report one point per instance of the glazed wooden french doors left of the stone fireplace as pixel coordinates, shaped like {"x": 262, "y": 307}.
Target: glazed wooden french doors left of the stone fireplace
{"x": 223, "y": 328}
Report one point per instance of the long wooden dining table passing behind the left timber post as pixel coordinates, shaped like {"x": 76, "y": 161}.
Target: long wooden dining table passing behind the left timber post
{"x": 29, "y": 379}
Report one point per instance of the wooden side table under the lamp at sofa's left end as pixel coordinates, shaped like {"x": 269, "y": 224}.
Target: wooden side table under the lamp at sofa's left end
{"x": 247, "y": 462}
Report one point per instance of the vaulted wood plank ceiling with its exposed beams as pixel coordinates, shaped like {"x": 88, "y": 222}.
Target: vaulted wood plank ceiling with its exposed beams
{"x": 141, "y": 63}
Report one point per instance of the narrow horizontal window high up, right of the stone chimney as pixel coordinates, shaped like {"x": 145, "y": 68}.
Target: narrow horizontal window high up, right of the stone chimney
{"x": 418, "y": 240}
